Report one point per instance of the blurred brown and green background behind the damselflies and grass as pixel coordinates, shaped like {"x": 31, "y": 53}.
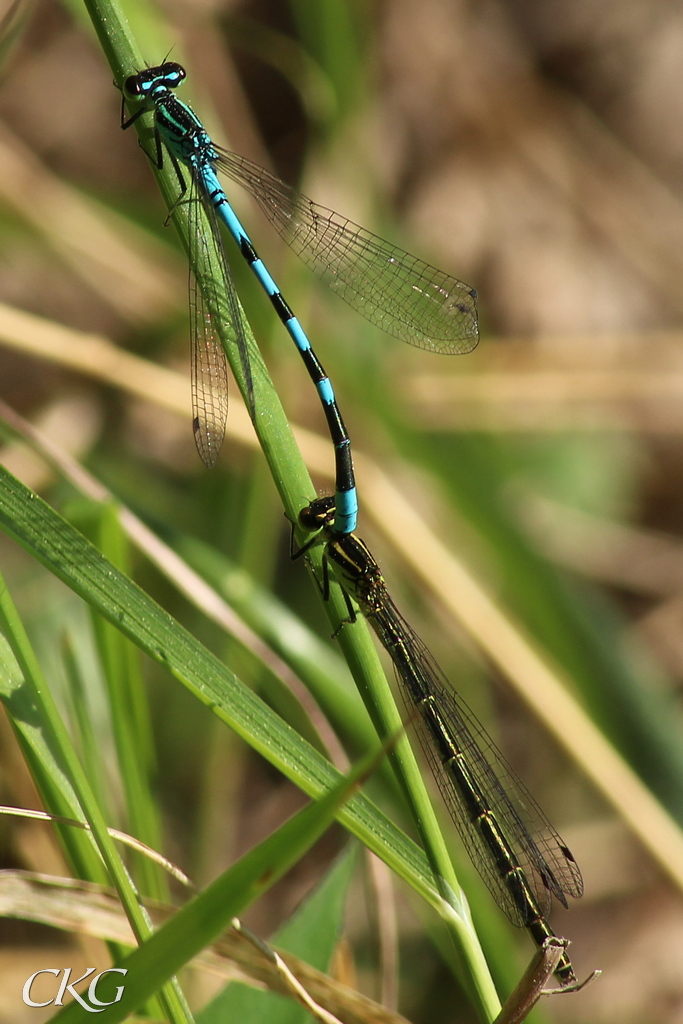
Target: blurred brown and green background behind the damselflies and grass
{"x": 535, "y": 151}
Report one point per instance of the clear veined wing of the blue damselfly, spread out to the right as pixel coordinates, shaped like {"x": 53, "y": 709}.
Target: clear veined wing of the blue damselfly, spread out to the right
{"x": 399, "y": 293}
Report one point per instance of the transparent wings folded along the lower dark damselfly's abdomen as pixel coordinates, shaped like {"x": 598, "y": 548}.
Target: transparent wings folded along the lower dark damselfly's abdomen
{"x": 528, "y": 837}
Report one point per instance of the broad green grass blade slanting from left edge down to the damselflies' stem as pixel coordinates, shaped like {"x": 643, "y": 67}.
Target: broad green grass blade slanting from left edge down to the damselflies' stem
{"x": 63, "y": 550}
